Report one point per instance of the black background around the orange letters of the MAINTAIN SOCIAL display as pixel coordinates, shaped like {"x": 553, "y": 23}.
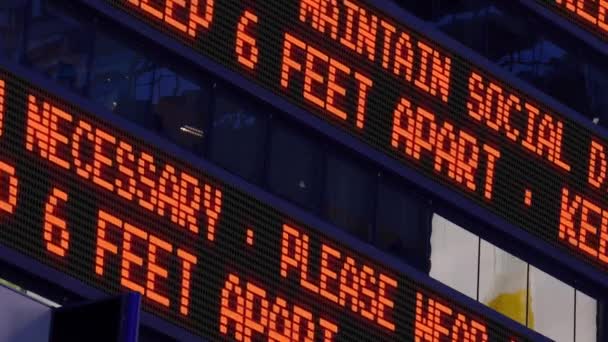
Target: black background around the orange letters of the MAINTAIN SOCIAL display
{"x": 516, "y": 170}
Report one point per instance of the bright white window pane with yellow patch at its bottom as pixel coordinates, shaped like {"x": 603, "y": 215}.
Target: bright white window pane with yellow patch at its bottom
{"x": 503, "y": 282}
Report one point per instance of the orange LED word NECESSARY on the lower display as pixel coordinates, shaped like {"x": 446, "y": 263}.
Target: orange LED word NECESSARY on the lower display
{"x": 116, "y": 166}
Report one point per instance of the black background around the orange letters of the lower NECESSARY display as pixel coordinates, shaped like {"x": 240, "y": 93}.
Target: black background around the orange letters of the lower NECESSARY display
{"x": 229, "y": 253}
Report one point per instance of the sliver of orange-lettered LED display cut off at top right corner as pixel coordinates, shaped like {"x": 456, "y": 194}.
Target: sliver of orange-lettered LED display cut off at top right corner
{"x": 588, "y": 14}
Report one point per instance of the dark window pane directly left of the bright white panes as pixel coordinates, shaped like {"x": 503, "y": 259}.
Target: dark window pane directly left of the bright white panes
{"x": 402, "y": 224}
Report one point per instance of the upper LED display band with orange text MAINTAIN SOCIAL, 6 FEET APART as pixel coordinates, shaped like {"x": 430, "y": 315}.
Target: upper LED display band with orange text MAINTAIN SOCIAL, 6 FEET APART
{"x": 404, "y": 95}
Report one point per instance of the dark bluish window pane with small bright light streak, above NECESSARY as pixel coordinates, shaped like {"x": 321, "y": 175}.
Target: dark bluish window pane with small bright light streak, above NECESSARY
{"x": 181, "y": 105}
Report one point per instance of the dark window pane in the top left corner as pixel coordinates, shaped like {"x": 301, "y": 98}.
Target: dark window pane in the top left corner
{"x": 12, "y": 18}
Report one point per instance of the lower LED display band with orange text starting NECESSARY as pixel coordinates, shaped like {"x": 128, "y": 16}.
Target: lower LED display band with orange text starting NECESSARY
{"x": 101, "y": 205}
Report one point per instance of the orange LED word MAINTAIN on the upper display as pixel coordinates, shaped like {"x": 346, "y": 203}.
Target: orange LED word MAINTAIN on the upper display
{"x": 379, "y": 41}
